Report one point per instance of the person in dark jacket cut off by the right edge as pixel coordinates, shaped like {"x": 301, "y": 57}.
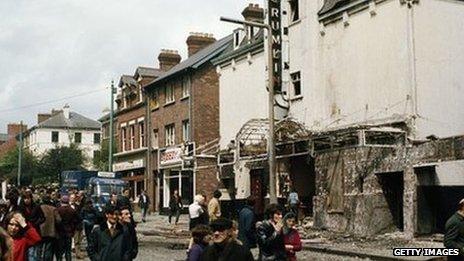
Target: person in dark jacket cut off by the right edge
{"x": 454, "y": 232}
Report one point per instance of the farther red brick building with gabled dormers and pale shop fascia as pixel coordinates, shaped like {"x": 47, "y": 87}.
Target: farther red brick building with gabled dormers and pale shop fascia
{"x": 130, "y": 131}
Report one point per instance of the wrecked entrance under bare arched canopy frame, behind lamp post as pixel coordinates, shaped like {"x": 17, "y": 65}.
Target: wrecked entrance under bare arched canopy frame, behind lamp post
{"x": 244, "y": 171}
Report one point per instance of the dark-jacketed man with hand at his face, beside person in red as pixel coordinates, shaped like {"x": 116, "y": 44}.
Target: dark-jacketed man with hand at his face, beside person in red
{"x": 270, "y": 237}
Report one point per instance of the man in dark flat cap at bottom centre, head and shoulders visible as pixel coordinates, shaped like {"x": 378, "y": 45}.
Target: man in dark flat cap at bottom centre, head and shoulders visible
{"x": 225, "y": 247}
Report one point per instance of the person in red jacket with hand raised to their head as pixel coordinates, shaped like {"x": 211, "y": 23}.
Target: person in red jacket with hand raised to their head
{"x": 24, "y": 235}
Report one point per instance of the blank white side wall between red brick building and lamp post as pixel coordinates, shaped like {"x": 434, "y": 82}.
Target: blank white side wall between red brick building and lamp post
{"x": 242, "y": 96}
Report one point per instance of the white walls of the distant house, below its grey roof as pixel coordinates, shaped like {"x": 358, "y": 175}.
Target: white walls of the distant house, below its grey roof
{"x": 41, "y": 141}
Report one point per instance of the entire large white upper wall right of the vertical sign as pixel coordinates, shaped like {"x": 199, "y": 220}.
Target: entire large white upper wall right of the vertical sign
{"x": 363, "y": 71}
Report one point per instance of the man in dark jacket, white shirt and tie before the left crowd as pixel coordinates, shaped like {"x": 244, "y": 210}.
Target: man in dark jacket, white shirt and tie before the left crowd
{"x": 110, "y": 241}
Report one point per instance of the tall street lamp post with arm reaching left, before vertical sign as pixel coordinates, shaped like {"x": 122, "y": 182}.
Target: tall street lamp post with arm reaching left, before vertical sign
{"x": 271, "y": 138}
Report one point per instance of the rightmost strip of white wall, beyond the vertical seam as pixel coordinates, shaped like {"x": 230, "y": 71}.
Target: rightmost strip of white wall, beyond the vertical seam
{"x": 439, "y": 38}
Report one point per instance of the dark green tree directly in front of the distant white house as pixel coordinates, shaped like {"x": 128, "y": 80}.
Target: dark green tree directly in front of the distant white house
{"x": 59, "y": 159}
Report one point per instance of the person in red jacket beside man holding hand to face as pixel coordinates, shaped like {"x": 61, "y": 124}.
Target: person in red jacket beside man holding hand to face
{"x": 292, "y": 238}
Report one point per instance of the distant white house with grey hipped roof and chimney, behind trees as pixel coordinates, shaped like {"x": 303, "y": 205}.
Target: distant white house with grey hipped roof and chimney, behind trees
{"x": 62, "y": 128}
